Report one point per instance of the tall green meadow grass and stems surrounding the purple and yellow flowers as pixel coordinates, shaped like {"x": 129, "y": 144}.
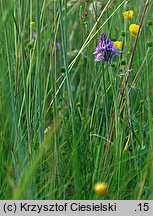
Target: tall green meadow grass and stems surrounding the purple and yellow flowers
{"x": 66, "y": 120}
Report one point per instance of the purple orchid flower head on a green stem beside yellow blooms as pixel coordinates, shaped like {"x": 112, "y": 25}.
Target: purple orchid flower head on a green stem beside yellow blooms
{"x": 105, "y": 49}
